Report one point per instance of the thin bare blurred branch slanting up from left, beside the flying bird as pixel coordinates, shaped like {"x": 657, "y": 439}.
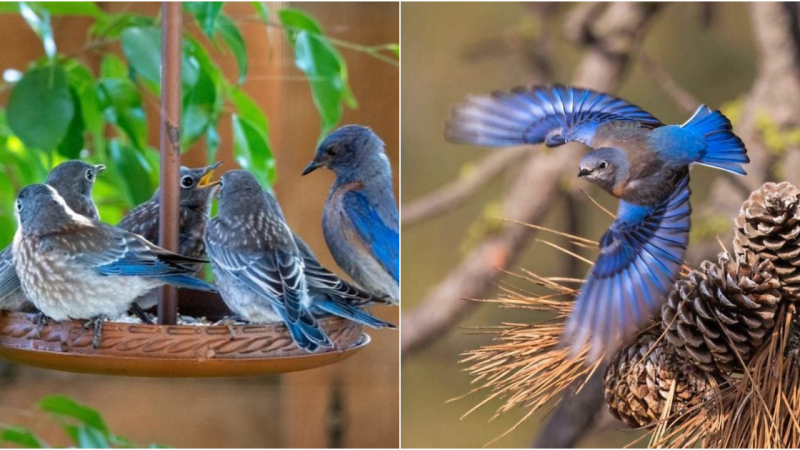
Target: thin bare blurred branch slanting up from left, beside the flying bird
{"x": 454, "y": 194}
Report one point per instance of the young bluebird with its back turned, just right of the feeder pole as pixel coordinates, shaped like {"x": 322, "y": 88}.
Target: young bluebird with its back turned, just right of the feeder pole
{"x": 256, "y": 262}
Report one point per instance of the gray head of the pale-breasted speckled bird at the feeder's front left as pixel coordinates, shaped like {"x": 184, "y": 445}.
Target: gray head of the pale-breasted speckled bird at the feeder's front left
{"x": 41, "y": 210}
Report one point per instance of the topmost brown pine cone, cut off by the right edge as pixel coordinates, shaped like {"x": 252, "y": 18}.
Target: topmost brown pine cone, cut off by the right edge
{"x": 769, "y": 224}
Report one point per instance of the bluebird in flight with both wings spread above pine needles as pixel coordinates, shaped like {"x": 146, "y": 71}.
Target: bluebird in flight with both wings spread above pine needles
{"x": 635, "y": 158}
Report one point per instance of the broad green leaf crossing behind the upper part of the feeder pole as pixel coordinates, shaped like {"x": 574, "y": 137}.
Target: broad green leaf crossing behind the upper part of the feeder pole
{"x": 142, "y": 48}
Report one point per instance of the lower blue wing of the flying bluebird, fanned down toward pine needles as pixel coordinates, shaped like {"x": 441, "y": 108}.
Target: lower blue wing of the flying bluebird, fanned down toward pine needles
{"x": 640, "y": 258}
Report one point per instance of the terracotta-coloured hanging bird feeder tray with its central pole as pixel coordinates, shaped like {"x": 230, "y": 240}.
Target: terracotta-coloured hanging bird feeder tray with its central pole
{"x": 169, "y": 349}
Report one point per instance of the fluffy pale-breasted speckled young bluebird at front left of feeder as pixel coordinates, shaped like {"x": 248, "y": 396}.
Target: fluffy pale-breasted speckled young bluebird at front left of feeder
{"x": 73, "y": 267}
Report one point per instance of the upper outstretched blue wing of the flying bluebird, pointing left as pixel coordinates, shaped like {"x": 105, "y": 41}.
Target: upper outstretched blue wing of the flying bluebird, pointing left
{"x": 553, "y": 115}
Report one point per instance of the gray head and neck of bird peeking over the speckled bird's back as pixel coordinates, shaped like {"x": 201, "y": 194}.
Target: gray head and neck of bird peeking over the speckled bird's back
{"x": 74, "y": 181}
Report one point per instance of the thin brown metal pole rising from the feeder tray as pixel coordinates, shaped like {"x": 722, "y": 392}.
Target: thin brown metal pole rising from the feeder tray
{"x": 170, "y": 148}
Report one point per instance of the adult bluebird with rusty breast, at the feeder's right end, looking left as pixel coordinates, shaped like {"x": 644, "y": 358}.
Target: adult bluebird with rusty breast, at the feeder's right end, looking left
{"x": 360, "y": 220}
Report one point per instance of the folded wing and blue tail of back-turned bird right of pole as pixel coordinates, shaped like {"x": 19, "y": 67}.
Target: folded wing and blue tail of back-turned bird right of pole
{"x": 277, "y": 277}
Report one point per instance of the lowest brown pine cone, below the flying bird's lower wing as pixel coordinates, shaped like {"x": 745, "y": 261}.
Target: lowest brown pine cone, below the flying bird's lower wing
{"x": 637, "y": 382}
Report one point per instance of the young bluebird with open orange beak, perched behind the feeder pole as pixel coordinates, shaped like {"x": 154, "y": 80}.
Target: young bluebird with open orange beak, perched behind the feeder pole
{"x": 197, "y": 194}
